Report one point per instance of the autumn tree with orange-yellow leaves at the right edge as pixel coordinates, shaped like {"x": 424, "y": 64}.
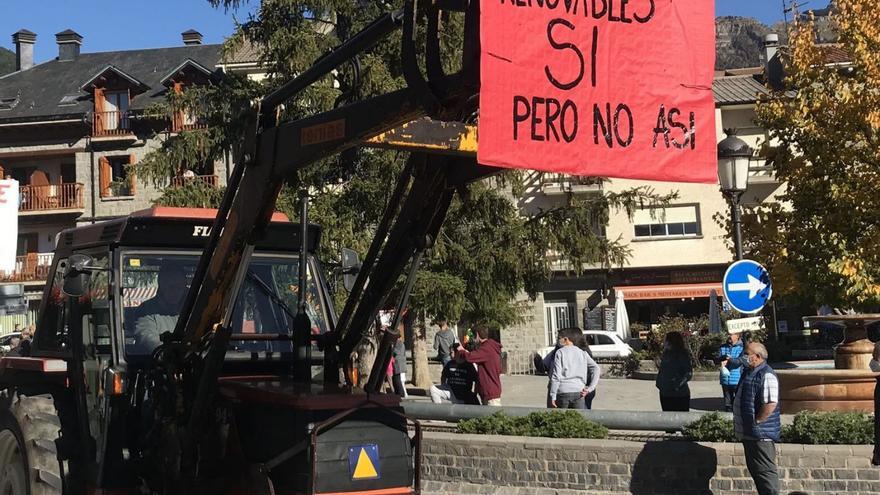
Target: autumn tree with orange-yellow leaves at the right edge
{"x": 825, "y": 134}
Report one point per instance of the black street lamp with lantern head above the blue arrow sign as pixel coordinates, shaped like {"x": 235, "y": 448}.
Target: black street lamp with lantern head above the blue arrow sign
{"x": 733, "y": 174}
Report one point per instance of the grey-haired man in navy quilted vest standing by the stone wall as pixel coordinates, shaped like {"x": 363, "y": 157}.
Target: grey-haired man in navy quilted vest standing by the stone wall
{"x": 756, "y": 419}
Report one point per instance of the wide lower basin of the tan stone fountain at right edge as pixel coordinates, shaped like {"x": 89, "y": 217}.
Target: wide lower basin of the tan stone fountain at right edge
{"x": 826, "y": 390}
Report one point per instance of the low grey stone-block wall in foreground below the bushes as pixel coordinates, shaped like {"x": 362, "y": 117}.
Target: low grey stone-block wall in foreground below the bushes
{"x": 475, "y": 464}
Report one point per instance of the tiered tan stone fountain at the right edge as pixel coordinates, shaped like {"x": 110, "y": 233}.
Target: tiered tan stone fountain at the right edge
{"x": 849, "y": 386}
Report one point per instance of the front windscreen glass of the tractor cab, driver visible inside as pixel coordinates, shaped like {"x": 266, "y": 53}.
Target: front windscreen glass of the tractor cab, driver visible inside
{"x": 155, "y": 285}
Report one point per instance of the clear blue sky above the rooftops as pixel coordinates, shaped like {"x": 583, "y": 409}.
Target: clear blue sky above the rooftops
{"x": 108, "y": 25}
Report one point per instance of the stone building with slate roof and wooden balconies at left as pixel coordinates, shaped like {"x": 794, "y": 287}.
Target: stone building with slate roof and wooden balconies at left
{"x": 70, "y": 128}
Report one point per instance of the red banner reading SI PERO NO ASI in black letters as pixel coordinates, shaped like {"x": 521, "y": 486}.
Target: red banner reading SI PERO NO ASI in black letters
{"x": 612, "y": 88}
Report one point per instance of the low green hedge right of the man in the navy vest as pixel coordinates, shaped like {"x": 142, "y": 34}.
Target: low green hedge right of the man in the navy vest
{"x": 846, "y": 428}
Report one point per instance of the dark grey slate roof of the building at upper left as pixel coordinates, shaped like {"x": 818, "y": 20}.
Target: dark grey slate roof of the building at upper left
{"x": 40, "y": 89}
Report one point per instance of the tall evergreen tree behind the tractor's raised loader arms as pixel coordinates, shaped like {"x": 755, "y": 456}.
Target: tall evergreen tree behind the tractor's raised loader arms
{"x": 487, "y": 253}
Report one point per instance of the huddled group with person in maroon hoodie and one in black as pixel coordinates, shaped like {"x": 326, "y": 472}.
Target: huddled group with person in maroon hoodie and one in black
{"x": 469, "y": 376}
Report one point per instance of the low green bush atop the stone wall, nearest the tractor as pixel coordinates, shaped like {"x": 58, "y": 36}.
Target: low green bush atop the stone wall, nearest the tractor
{"x": 553, "y": 424}
